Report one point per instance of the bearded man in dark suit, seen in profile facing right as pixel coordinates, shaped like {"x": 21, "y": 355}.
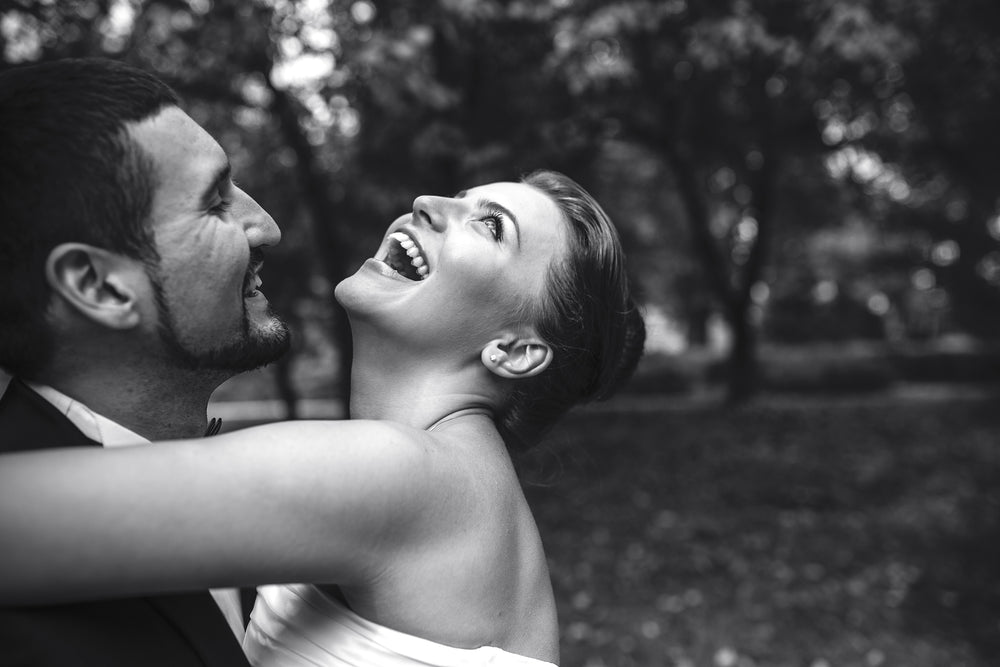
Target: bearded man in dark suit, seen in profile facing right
{"x": 129, "y": 284}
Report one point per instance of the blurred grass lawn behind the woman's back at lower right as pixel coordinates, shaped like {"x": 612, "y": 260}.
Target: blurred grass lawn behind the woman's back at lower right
{"x": 819, "y": 533}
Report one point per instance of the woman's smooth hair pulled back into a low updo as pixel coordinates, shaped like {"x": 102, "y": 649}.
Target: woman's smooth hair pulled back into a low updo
{"x": 586, "y": 314}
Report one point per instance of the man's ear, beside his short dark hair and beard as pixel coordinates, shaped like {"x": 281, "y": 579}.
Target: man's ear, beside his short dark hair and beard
{"x": 95, "y": 282}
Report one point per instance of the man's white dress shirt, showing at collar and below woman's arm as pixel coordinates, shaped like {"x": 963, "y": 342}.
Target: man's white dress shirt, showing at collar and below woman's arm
{"x": 112, "y": 434}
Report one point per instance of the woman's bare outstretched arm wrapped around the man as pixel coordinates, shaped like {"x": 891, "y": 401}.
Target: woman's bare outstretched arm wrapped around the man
{"x": 298, "y": 501}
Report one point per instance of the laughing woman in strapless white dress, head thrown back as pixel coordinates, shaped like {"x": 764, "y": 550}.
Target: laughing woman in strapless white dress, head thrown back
{"x": 479, "y": 321}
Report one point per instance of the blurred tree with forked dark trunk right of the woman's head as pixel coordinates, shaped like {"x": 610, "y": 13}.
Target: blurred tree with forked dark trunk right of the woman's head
{"x": 732, "y": 96}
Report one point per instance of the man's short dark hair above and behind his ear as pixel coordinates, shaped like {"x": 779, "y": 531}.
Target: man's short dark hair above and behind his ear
{"x": 69, "y": 172}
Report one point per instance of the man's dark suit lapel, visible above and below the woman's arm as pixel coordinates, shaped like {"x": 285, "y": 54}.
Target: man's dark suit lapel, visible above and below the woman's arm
{"x": 28, "y": 421}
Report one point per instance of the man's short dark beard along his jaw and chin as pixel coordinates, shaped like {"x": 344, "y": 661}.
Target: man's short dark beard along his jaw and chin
{"x": 247, "y": 350}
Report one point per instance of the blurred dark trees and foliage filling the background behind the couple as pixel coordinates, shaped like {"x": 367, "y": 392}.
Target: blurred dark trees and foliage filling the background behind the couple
{"x": 811, "y": 169}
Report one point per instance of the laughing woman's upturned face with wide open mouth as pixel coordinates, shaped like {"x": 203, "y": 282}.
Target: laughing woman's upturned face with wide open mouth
{"x": 458, "y": 271}
